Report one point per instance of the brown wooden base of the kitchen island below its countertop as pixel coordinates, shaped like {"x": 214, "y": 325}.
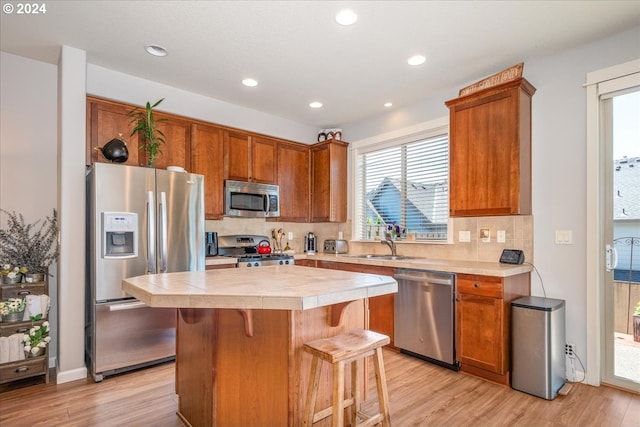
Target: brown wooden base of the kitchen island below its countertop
{"x": 215, "y": 387}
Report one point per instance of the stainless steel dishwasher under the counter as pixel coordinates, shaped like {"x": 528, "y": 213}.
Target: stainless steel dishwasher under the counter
{"x": 424, "y": 316}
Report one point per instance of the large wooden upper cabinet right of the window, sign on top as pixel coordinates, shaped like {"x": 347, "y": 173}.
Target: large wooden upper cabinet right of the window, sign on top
{"x": 490, "y": 151}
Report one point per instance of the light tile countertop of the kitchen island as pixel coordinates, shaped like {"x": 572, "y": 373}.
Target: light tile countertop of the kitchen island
{"x": 272, "y": 287}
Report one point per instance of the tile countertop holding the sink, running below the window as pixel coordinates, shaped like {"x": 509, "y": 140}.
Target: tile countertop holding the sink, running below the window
{"x": 454, "y": 266}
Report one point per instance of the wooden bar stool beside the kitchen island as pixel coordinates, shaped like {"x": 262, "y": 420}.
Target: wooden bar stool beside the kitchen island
{"x": 351, "y": 347}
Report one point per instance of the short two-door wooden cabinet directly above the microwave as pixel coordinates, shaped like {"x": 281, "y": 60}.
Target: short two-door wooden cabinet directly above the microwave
{"x": 249, "y": 157}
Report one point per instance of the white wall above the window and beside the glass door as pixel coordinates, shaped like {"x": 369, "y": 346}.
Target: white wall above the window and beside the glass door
{"x": 559, "y": 162}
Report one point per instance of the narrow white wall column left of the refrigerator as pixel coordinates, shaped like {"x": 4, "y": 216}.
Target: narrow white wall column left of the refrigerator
{"x": 72, "y": 76}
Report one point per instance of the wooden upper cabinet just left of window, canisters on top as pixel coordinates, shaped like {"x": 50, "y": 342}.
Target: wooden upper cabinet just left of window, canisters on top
{"x": 329, "y": 181}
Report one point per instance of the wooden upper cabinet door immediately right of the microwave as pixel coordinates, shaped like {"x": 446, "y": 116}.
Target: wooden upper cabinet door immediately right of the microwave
{"x": 293, "y": 179}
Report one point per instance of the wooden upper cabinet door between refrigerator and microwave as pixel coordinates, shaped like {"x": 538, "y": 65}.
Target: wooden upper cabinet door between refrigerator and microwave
{"x": 207, "y": 159}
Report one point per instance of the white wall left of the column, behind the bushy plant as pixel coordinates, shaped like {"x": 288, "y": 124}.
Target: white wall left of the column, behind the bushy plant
{"x": 28, "y": 149}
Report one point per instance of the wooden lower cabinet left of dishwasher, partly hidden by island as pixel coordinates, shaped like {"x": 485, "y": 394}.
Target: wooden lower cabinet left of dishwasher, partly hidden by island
{"x": 380, "y": 308}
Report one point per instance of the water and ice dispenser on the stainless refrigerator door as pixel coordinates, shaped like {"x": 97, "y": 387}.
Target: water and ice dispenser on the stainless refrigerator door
{"x": 119, "y": 235}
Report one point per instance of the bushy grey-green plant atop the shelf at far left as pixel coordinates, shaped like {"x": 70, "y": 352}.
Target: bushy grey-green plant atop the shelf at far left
{"x": 31, "y": 246}
